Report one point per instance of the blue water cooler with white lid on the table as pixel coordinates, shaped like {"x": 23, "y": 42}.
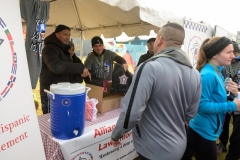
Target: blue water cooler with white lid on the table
{"x": 67, "y": 109}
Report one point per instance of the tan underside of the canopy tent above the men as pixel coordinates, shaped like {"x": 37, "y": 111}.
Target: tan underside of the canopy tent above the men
{"x": 94, "y": 17}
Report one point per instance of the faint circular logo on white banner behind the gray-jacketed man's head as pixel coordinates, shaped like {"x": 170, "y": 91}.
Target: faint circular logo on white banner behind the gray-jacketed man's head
{"x": 193, "y": 48}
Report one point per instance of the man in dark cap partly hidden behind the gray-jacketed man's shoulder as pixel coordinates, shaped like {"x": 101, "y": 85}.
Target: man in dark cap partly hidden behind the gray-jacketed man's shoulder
{"x": 149, "y": 53}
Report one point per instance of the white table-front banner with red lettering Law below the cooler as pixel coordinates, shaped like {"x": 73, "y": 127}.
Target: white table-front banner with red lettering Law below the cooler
{"x": 95, "y": 144}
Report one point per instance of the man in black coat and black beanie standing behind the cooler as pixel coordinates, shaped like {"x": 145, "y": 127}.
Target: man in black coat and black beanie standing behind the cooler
{"x": 56, "y": 63}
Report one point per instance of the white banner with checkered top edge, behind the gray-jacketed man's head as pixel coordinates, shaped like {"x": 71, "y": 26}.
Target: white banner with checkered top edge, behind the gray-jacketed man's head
{"x": 195, "y": 34}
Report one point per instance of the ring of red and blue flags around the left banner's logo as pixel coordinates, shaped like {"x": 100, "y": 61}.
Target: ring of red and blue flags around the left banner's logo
{"x": 12, "y": 73}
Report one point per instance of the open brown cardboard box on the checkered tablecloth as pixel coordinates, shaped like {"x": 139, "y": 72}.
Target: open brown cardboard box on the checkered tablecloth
{"x": 106, "y": 101}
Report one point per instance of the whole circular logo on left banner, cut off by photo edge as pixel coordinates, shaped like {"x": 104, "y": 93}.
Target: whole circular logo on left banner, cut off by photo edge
{"x": 8, "y": 60}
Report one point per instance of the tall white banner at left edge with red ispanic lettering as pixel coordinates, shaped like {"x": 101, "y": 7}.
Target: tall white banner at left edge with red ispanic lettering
{"x": 19, "y": 130}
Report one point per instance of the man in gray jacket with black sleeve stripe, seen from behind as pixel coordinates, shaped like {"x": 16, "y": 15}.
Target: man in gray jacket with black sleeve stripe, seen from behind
{"x": 165, "y": 97}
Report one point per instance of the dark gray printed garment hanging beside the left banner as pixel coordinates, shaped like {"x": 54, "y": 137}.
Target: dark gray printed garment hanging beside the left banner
{"x": 35, "y": 14}
